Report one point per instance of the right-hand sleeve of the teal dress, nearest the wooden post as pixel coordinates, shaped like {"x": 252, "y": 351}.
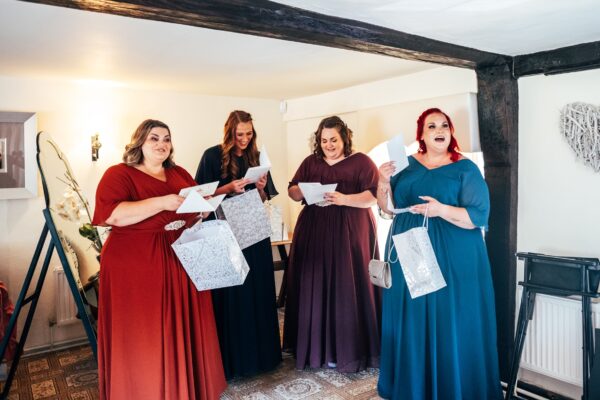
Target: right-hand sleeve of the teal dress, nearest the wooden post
{"x": 474, "y": 196}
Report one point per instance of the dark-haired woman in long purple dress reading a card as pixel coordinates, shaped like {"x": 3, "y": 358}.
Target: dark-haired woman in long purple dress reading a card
{"x": 332, "y": 315}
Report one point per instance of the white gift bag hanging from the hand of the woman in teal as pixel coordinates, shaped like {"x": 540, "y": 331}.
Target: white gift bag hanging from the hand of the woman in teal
{"x": 419, "y": 265}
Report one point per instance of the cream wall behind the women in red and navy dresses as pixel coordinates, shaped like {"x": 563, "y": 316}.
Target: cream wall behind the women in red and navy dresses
{"x": 71, "y": 112}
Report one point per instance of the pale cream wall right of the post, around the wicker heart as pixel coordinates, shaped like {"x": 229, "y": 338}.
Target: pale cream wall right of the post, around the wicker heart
{"x": 559, "y": 196}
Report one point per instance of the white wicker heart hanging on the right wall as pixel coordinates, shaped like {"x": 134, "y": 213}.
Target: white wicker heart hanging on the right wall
{"x": 580, "y": 125}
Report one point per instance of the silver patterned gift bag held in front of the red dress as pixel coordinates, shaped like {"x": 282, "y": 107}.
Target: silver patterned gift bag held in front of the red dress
{"x": 211, "y": 255}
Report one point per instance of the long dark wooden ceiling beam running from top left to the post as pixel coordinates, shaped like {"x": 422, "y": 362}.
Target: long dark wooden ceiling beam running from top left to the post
{"x": 270, "y": 19}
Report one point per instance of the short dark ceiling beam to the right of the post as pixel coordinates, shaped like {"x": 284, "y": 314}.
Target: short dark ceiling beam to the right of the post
{"x": 566, "y": 59}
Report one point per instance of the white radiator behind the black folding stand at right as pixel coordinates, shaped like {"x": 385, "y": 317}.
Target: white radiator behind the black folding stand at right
{"x": 553, "y": 341}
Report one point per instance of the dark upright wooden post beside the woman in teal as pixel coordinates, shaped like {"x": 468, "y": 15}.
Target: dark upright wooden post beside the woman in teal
{"x": 498, "y": 106}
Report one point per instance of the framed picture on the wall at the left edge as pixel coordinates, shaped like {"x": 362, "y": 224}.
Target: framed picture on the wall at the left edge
{"x": 18, "y": 169}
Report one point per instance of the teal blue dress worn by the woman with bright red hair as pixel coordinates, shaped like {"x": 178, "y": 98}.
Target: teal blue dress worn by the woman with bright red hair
{"x": 442, "y": 346}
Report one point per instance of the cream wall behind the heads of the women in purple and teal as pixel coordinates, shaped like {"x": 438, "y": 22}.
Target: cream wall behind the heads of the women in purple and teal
{"x": 380, "y": 110}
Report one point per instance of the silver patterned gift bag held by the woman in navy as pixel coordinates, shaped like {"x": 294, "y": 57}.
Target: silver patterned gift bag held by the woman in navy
{"x": 247, "y": 217}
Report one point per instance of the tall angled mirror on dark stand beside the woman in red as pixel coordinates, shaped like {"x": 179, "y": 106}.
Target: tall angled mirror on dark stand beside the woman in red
{"x": 71, "y": 216}
